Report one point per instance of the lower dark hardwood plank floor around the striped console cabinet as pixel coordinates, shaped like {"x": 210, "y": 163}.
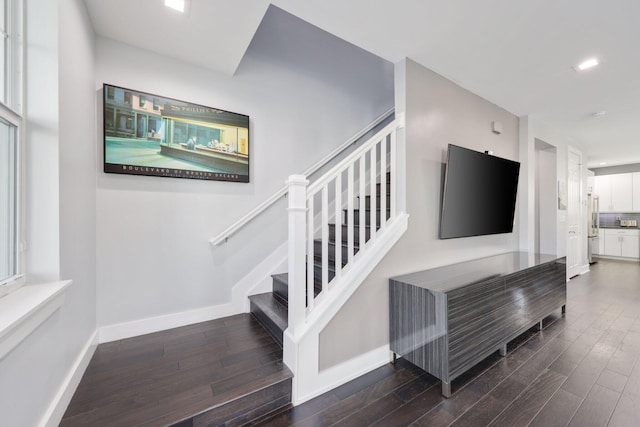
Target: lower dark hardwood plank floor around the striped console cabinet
{"x": 581, "y": 370}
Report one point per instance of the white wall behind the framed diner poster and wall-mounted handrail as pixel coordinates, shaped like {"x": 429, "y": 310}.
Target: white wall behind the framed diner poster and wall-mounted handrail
{"x": 305, "y": 91}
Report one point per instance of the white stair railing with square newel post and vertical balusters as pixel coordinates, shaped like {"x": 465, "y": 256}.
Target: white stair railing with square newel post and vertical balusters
{"x": 334, "y": 198}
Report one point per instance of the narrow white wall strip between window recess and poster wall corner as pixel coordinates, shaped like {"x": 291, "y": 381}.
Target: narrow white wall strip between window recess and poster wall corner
{"x": 77, "y": 174}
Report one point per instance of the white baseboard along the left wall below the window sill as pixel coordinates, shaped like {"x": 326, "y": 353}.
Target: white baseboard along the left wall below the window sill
{"x": 58, "y": 406}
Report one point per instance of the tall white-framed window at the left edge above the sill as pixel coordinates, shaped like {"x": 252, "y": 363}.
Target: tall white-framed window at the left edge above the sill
{"x": 11, "y": 267}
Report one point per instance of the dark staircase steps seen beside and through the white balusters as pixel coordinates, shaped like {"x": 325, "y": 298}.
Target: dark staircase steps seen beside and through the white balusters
{"x": 271, "y": 308}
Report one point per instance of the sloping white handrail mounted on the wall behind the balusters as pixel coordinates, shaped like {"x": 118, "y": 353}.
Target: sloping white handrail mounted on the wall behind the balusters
{"x": 233, "y": 228}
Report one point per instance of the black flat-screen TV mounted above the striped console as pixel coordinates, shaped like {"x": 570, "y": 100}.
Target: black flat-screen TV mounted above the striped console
{"x": 479, "y": 195}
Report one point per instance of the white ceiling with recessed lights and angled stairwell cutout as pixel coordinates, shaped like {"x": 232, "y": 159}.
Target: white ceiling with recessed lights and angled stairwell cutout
{"x": 516, "y": 54}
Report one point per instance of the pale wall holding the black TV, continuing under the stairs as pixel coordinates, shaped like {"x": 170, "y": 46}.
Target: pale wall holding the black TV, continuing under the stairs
{"x": 438, "y": 112}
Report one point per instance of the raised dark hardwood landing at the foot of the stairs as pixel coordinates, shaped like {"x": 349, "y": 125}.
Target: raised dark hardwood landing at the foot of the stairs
{"x": 224, "y": 371}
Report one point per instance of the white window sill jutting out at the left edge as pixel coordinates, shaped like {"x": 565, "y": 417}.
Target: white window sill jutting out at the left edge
{"x": 22, "y": 311}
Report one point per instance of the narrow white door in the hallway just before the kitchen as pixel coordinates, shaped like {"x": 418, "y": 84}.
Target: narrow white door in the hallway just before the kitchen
{"x": 574, "y": 240}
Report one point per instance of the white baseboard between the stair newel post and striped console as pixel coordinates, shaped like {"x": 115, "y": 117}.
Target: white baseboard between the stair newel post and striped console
{"x": 346, "y": 371}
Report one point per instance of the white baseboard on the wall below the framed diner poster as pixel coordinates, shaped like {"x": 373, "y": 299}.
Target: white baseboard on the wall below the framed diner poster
{"x": 149, "y": 325}
